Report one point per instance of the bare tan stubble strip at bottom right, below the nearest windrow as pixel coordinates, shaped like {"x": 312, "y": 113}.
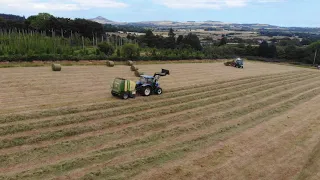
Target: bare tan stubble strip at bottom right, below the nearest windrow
{"x": 222, "y": 161}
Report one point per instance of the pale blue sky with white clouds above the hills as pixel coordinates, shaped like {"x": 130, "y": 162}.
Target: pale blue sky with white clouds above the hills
{"x": 297, "y": 13}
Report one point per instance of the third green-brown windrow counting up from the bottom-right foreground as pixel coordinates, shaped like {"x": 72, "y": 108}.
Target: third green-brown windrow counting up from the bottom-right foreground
{"x": 152, "y": 125}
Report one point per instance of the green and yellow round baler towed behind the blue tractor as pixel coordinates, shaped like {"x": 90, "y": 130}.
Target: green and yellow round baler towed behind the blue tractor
{"x": 123, "y": 88}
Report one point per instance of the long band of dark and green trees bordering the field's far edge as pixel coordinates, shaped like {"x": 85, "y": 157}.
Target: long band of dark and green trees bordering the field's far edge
{"x": 45, "y": 37}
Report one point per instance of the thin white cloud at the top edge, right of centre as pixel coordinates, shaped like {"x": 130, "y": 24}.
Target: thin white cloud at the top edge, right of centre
{"x": 209, "y": 4}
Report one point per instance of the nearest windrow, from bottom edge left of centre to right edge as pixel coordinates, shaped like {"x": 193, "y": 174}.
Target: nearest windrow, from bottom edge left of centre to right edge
{"x": 116, "y": 169}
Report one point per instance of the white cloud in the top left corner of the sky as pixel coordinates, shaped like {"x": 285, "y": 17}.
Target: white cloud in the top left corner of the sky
{"x": 59, "y": 5}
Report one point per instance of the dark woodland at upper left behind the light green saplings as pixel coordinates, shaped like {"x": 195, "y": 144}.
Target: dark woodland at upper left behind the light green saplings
{"x": 66, "y": 27}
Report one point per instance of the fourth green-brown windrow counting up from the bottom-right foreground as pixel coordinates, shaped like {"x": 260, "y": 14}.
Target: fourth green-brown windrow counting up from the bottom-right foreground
{"x": 164, "y": 111}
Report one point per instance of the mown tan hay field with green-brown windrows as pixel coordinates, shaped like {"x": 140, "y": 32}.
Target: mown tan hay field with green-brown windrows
{"x": 212, "y": 122}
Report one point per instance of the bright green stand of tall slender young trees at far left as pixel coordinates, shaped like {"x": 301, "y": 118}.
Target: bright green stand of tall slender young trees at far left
{"x": 27, "y": 46}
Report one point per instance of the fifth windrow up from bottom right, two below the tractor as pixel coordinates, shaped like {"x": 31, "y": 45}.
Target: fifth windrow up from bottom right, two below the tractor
{"x": 11, "y": 129}
